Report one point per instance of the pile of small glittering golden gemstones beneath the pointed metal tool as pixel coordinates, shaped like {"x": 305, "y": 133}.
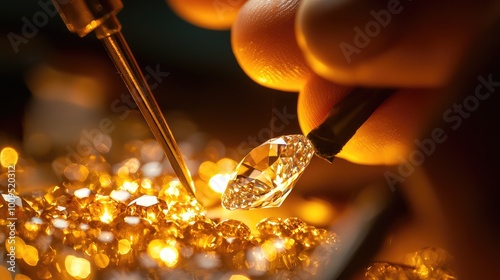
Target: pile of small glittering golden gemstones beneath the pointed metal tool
{"x": 124, "y": 221}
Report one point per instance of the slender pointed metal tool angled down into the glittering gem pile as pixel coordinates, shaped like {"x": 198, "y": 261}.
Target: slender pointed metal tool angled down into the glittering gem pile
{"x": 85, "y": 16}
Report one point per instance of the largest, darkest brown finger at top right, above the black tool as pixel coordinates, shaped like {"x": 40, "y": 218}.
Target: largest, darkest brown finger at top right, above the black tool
{"x": 389, "y": 43}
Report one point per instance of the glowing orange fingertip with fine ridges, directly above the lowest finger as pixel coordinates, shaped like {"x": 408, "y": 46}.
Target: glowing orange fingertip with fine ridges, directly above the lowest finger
{"x": 263, "y": 41}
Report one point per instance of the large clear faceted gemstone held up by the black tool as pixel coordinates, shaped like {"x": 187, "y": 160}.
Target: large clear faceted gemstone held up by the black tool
{"x": 265, "y": 177}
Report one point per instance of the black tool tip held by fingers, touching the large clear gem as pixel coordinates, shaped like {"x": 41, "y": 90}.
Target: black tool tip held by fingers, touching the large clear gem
{"x": 344, "y": 119}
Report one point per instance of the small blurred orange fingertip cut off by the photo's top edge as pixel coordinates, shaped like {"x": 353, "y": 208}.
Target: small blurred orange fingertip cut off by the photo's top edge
{"x": 210, "y": 14}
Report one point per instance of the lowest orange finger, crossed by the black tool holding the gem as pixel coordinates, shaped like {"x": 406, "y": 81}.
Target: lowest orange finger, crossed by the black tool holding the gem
{"x": 386, "y": 137}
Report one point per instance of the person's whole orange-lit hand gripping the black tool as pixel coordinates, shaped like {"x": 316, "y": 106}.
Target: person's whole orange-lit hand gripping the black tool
{"x": 324, "y": 48}
